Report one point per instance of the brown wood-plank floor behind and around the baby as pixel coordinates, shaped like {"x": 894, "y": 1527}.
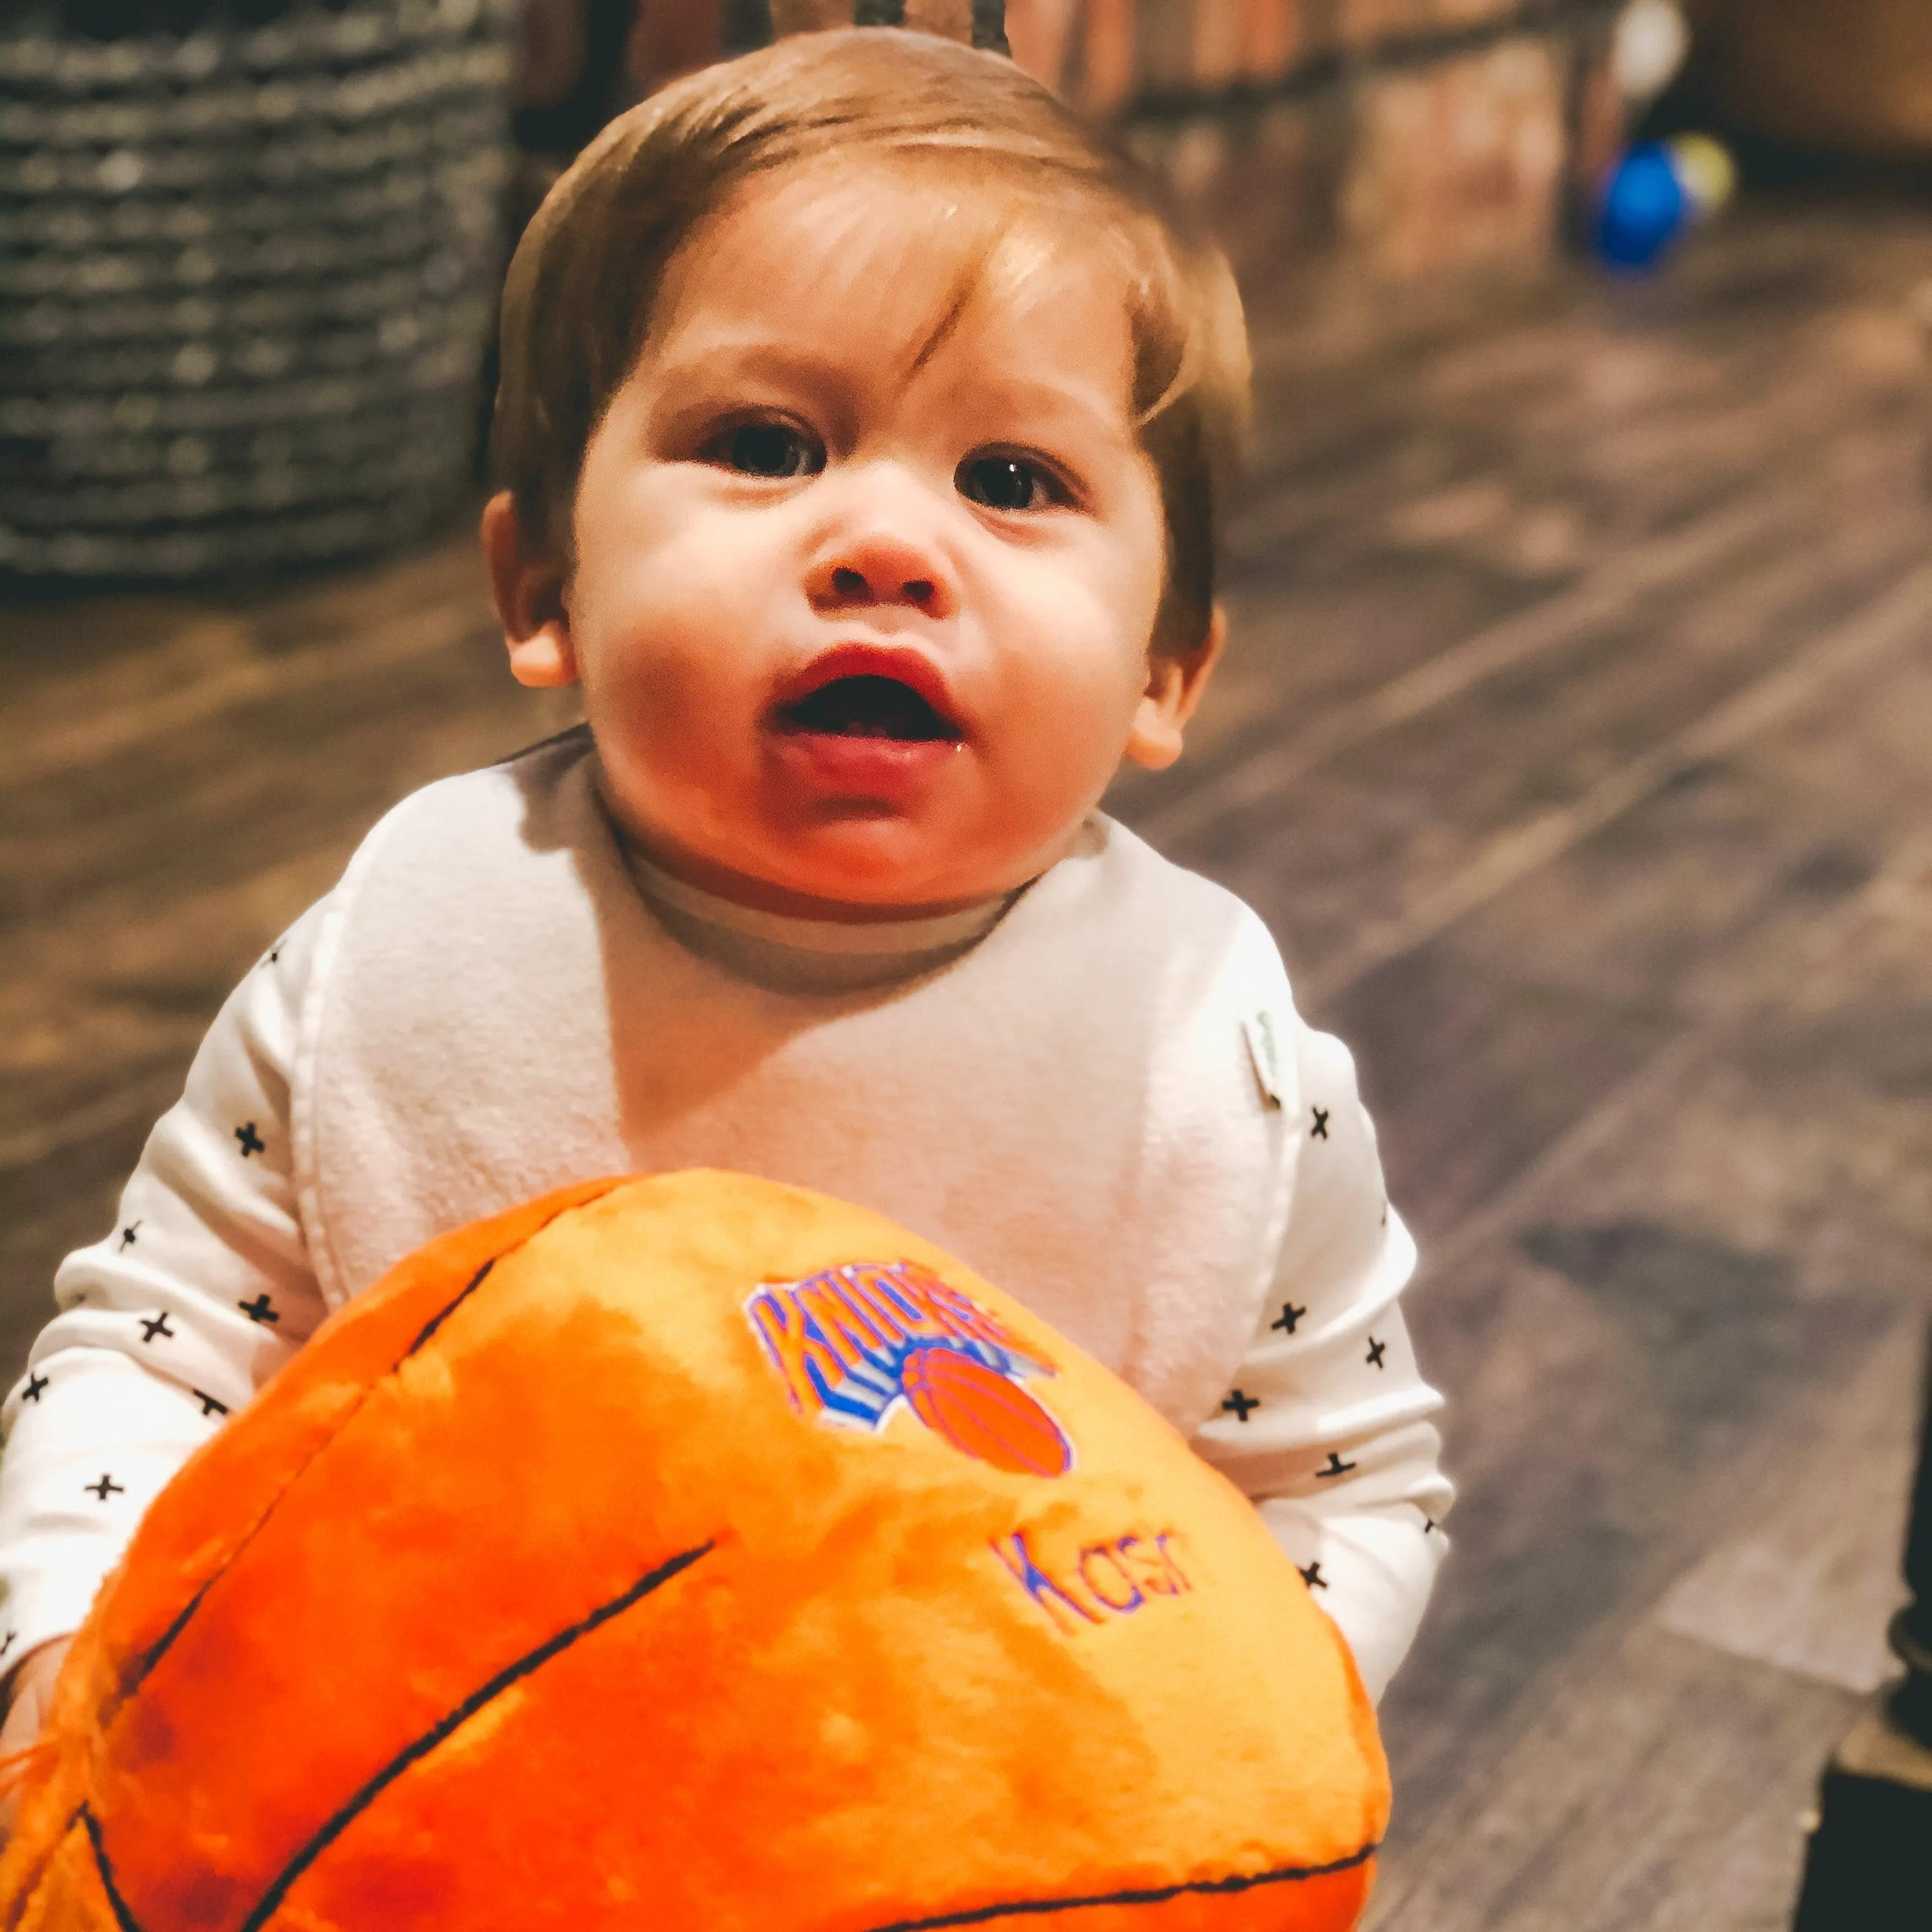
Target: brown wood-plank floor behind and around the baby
{"x": 1577, "y": 743}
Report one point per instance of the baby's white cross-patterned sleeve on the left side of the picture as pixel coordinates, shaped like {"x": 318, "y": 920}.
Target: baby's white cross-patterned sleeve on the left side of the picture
{"x": 167, "y": 1324}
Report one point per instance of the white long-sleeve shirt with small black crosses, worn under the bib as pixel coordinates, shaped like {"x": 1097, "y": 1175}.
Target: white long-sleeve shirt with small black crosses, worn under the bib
{"x": 210, "y": 1282}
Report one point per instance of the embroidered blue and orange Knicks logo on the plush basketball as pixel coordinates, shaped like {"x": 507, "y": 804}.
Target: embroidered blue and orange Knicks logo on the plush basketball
{"x": 855, "y": 1342}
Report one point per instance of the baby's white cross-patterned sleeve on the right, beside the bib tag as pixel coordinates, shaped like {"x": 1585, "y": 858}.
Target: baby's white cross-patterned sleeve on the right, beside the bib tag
{"x": 1326, "y": 1417}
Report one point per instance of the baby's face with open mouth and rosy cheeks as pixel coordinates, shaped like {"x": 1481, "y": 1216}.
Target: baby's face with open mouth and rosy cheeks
{"x": 865, "y": 617}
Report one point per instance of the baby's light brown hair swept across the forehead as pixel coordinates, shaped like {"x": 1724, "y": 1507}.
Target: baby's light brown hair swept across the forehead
{"x": 584, "y": 283}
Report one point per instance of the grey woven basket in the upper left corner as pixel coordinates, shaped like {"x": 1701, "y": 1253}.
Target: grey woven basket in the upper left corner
{"x": 246, "y": 283}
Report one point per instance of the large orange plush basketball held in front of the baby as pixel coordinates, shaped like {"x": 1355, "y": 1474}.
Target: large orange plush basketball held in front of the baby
{"x": 695, "y": 1554}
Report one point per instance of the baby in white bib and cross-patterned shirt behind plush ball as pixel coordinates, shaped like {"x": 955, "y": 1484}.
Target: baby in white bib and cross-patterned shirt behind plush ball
{"x": 863, "y": 436}
